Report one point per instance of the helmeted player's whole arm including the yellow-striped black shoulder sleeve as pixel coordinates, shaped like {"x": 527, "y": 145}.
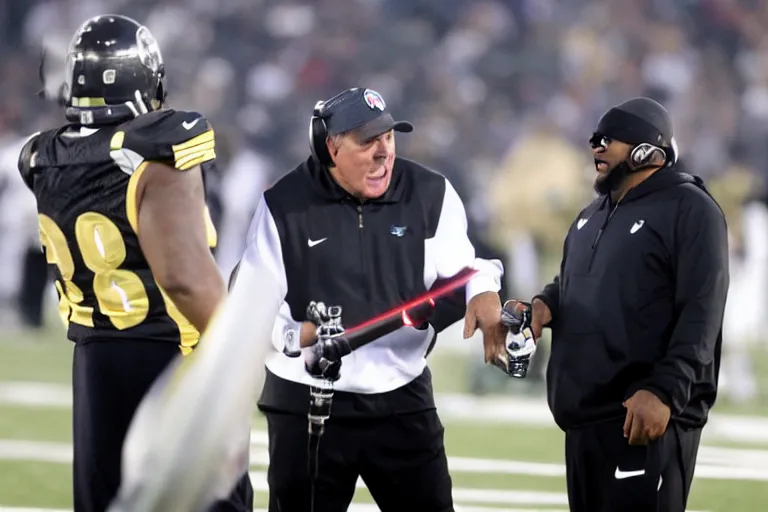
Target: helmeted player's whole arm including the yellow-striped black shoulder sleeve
{"x": 165, "y": 151}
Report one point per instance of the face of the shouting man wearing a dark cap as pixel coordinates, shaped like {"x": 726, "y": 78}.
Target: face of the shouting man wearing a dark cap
{"x": 363, "y": 167}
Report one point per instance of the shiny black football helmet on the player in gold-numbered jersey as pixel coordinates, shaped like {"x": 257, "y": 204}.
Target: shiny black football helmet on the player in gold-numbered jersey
{"x": 114, "y": 71}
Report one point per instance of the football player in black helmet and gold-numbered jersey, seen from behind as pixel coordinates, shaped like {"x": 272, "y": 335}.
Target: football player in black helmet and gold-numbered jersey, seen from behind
{"x": 123, "y": 222}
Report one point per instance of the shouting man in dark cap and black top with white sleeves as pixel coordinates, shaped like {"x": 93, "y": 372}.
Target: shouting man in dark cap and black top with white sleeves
{"x": 357, "y": 227}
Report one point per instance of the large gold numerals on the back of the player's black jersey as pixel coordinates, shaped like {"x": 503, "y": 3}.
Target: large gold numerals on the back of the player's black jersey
{"x": 120, "y": 294}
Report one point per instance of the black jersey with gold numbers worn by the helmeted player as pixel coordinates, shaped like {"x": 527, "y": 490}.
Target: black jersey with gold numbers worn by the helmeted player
{"x": 85, "y": 182}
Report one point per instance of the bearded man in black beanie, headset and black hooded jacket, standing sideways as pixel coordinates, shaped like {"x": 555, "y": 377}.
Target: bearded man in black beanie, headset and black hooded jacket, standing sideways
{"x": 636, "y": 316}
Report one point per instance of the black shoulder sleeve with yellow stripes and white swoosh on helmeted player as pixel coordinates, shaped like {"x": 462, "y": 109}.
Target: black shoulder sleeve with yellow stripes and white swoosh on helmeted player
{"x": 177, "y": 138}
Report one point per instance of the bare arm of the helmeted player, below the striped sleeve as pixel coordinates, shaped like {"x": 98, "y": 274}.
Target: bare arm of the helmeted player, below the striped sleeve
{"x": 173, "y": 237}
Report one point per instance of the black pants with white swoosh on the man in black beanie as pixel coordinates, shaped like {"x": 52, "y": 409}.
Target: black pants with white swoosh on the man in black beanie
{"x": 606, "y": 474}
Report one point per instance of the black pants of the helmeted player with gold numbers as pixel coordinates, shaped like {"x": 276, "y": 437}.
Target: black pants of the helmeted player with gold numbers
{"x": 110, "y": 378}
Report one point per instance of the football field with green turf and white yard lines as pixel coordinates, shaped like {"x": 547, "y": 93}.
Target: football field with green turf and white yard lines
{"x": 505, "y": 453}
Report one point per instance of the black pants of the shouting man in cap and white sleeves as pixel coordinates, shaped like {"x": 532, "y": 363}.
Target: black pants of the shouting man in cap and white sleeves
{"x": 401, "y": 459}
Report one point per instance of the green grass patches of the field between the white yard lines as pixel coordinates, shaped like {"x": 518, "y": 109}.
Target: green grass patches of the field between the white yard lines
{"x": 46, "y": 356}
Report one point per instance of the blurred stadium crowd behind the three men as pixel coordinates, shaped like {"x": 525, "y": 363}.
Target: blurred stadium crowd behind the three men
{"x": 503, "y": 93}
